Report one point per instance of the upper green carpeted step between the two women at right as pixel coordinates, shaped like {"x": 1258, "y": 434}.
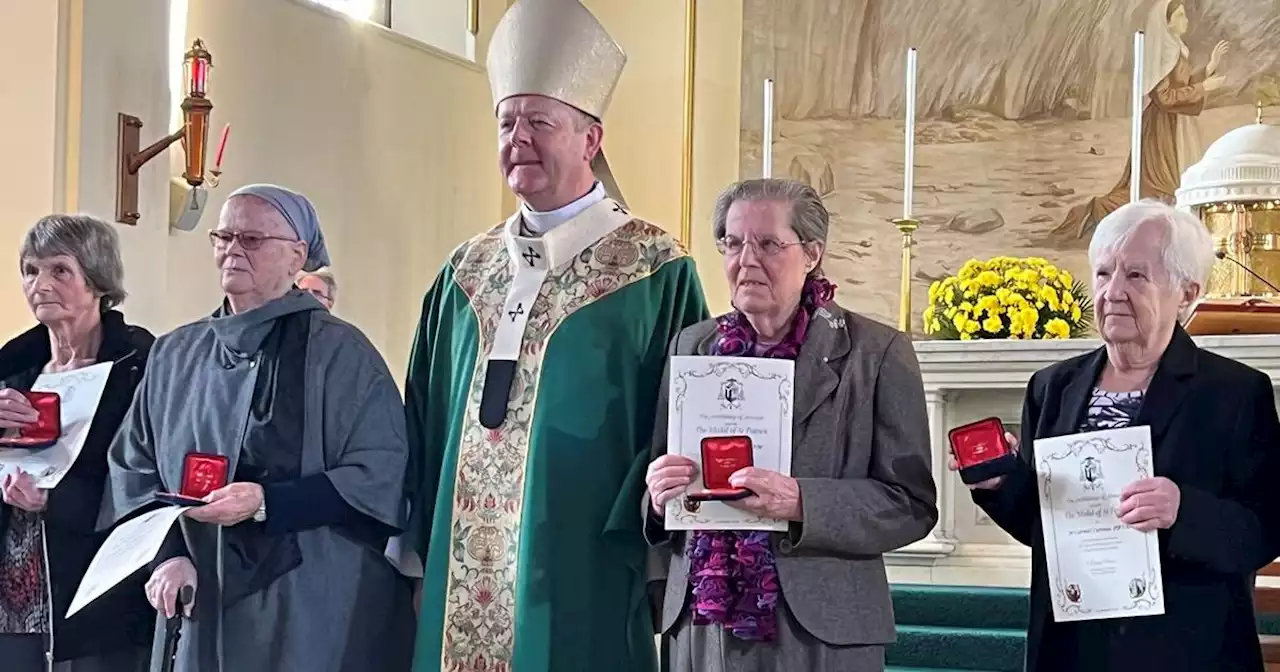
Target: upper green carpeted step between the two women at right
{"x": 921, "y": 605}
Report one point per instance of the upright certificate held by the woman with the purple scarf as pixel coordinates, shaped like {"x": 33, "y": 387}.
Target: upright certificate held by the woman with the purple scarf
{"x": 729, "y": 397}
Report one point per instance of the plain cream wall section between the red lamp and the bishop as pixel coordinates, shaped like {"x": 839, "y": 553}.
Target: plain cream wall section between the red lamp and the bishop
{"x": 386, "y": 135}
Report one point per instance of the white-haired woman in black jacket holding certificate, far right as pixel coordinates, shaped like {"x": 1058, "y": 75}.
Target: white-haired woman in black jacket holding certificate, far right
{"x": 1213, "y": 499}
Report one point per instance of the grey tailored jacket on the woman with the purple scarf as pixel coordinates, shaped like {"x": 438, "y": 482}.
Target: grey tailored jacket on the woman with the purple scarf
{"x": 862, "y": 458}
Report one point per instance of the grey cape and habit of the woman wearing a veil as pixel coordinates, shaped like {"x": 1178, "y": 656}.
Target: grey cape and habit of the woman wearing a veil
{"x": 335, "y": 609}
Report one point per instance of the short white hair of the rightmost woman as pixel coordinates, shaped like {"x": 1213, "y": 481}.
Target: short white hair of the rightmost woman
{"x": 1188, "y": 252}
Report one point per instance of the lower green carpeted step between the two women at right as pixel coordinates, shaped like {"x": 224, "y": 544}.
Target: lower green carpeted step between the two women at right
{"x": 958, "y": 648}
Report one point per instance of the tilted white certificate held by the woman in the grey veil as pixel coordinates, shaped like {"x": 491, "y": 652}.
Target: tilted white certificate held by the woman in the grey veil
{"x": 126, "y": 551}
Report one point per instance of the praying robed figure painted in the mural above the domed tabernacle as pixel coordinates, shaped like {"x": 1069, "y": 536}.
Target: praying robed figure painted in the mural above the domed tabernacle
{"x": 1171, "y": 134}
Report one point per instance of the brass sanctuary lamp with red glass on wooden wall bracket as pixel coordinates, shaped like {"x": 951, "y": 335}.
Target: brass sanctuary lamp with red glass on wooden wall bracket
{"x": 194, "y": 135}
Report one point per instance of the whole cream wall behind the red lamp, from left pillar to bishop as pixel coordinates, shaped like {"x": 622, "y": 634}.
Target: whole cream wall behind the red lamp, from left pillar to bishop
{"x": 390, "y": 139}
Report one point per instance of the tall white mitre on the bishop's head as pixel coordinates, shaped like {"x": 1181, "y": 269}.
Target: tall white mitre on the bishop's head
{"x": 557, "y": 49}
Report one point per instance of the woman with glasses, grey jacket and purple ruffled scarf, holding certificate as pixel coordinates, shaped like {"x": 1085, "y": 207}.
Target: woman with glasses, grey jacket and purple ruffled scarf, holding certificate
{"x": 813, "y": 598}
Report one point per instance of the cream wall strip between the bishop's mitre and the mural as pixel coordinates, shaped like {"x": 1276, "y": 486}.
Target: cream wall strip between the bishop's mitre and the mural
{"x": 644, "y": 127}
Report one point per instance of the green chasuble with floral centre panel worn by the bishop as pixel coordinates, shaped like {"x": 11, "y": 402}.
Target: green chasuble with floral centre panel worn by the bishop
{"x": 527, "y": 508}
